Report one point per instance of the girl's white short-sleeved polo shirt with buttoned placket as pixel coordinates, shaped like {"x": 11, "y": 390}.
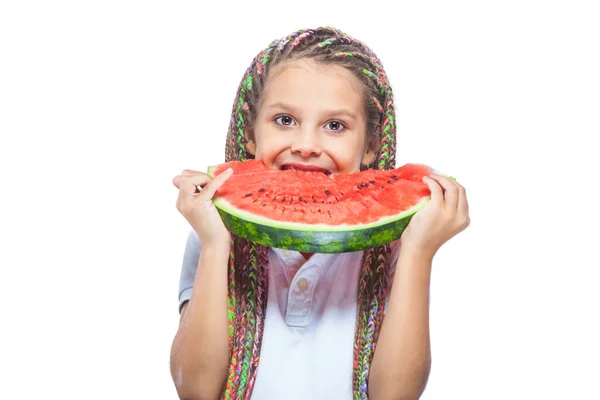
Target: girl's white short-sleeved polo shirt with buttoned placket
{"x": 307, "y": 346}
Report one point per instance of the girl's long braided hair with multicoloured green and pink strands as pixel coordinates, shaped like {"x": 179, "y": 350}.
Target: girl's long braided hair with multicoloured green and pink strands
{"x": 248, "y": 262}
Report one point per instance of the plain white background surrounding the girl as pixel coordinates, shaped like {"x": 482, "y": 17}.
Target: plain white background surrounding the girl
{"x": 103, "y": 103}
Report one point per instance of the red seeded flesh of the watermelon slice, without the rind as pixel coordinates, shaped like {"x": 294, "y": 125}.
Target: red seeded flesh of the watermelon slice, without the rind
{"x": 314, "y": 198}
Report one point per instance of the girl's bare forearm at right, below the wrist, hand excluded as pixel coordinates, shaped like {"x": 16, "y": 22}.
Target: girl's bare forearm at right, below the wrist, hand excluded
{"x": 402, "y": 358}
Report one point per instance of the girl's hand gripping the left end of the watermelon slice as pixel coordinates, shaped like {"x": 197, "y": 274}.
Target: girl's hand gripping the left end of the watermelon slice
{"x": 196, "y": 191}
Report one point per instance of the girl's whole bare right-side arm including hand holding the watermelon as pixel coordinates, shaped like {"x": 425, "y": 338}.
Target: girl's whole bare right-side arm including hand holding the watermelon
{"x": 402, "y": 358}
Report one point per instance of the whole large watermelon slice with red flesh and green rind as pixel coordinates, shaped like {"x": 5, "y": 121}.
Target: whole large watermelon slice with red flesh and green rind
{"x": 316, "y": 213}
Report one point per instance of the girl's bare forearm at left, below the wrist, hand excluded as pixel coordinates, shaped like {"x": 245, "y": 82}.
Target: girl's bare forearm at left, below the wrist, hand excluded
{"x": 200, "y": 351}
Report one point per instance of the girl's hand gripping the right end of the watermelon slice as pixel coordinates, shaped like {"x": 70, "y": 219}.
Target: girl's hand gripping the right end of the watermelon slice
{"x": 443, "y": 217}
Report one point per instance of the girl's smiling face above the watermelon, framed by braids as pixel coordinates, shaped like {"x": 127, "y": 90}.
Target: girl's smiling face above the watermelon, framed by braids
{"x": 311, "y": 117}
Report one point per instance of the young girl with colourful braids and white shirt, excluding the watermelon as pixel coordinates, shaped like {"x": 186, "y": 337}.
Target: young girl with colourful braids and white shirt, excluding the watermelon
{"x": 265, "y": 323}
